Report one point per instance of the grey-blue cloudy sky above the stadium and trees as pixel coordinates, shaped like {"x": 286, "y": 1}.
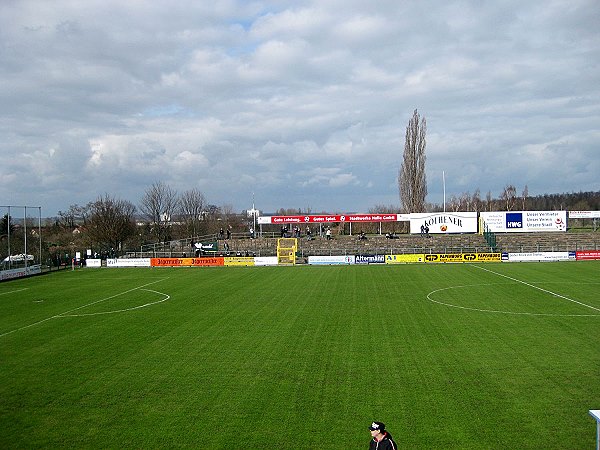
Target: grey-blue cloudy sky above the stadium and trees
{"x": 303, "y": 104}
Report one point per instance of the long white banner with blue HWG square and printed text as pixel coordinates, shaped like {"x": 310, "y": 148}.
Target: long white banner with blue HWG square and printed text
{"x": 525, "y": 221}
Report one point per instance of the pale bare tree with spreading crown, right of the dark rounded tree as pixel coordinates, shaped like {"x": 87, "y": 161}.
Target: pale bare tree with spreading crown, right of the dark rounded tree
{"x": 159, "y": 205}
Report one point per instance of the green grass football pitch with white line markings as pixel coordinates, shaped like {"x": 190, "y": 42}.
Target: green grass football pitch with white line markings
{"x": 448, "y": 356}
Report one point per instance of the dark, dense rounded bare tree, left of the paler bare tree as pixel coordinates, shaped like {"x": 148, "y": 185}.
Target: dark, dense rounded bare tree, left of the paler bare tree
{"x": 111, "y": 222}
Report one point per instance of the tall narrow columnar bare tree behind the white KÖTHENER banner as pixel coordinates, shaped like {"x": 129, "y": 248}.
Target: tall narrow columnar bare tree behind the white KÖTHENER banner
{"x": 412, "y": 182}
